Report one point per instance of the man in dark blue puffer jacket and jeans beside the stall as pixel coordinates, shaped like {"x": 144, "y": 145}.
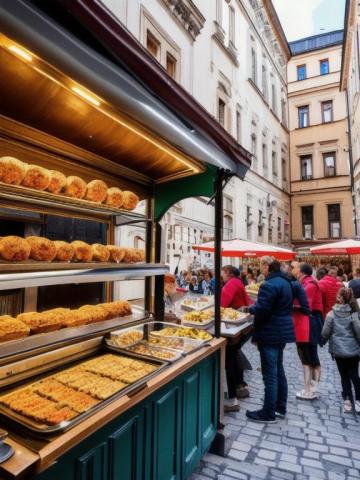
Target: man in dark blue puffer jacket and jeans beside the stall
{"x": 273, "y": 329}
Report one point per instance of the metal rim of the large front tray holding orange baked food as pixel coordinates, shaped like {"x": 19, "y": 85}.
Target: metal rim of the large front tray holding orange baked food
{"x": 43, "y": 429}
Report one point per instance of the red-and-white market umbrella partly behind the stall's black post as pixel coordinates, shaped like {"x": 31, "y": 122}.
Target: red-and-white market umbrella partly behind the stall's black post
{"x": 246, "y": 249}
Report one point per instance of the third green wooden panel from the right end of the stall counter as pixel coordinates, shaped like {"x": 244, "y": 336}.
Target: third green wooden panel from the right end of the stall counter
{"x": 166, "y": 443}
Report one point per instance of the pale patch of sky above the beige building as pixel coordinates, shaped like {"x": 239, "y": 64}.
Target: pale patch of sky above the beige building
{"x": 303, "y": 18}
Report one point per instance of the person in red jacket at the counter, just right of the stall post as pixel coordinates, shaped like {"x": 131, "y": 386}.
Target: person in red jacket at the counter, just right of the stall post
{"x": 233, "y": 295}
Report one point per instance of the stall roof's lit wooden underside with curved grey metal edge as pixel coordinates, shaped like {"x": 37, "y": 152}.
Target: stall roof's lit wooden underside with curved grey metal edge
{"x": 140, "y": 119}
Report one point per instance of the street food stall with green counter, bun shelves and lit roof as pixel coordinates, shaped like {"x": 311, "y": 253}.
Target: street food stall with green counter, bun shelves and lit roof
{"x": 91, "y": 384}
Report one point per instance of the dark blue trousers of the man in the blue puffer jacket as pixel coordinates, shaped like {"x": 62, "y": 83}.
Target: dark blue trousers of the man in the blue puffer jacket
{"x": 276, "y": 388}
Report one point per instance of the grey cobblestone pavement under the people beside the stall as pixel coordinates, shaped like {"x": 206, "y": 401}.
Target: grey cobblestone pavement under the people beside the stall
{"x": 315, "y": 442}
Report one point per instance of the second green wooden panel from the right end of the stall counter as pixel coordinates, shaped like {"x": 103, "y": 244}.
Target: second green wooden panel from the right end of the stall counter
{"x": 191, "y": 423}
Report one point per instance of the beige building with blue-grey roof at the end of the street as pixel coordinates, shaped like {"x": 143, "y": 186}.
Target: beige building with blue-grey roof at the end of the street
{"x": 321, "y": 202}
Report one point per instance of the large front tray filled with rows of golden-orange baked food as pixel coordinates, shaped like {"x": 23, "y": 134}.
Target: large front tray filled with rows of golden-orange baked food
{"x": 56, "y": 402}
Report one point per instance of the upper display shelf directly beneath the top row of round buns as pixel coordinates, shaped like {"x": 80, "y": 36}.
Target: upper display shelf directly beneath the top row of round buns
{"x": 28, "y": 198}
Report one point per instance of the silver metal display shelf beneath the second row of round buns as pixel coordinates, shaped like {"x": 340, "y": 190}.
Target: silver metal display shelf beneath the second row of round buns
{"x": 111, "y": 273}
